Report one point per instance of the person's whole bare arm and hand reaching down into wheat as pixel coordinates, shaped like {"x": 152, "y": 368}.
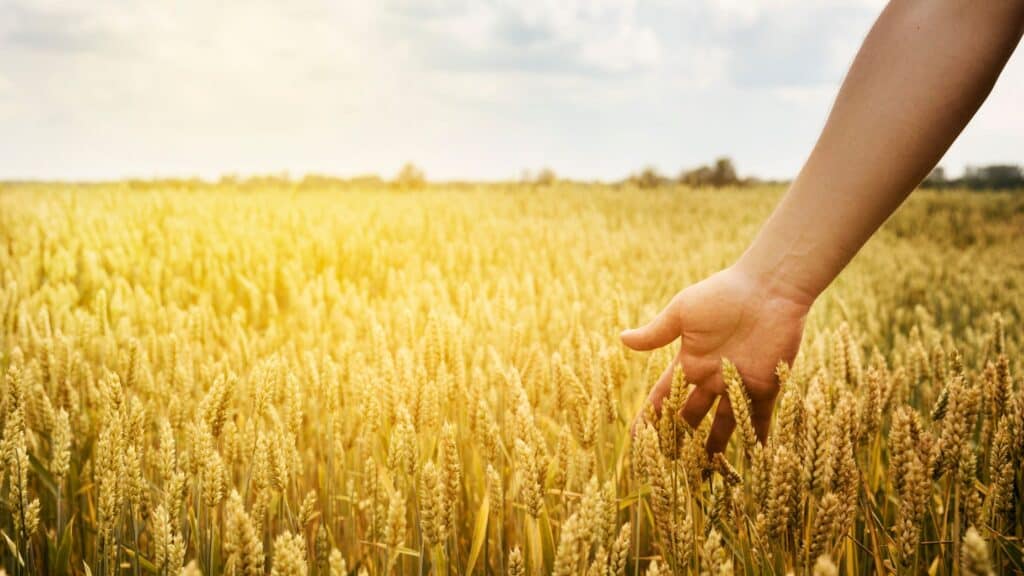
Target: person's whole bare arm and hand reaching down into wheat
{"x": 921, "y": 75}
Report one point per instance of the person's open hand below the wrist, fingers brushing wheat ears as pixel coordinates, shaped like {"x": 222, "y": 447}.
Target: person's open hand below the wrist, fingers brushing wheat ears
{"x": 730, "y": 315}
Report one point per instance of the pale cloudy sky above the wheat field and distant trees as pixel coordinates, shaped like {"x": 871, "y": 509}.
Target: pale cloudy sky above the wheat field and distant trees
{"x": 475, "y": 90}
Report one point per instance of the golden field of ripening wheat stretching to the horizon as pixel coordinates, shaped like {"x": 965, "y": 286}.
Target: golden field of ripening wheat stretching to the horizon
{"x": 250, "y": 379}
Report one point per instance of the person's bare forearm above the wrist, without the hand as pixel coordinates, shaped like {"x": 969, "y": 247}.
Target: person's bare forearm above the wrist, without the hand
{"x": 920, "y": 76}
